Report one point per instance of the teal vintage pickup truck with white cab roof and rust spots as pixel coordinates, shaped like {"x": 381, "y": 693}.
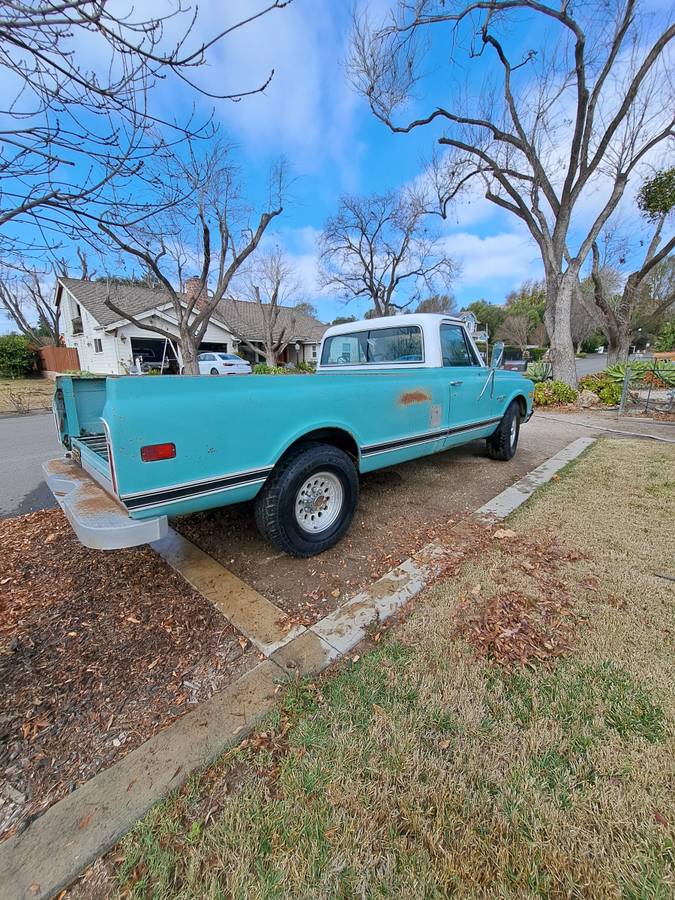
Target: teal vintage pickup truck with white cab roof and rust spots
{"x": 140, "y": 449}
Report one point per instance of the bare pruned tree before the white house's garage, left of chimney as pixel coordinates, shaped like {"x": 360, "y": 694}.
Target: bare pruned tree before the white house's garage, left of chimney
{"x": 209, "y": 228}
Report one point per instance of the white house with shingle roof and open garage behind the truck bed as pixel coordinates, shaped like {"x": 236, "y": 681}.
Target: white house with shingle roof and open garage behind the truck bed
{"x": 109, "y": 344}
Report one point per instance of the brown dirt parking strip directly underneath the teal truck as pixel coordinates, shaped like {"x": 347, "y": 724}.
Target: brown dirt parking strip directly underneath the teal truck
{"x": 400, "y": 510}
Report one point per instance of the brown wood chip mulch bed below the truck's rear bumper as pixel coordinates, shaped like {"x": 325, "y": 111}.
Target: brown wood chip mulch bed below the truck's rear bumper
{"x": 98, "y": 652}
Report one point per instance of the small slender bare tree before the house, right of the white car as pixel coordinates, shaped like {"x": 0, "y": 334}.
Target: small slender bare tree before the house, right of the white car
{"x": 271, "y": 284}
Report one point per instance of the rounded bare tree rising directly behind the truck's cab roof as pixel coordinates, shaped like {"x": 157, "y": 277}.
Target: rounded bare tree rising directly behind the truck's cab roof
{"x": 381, "y": 248}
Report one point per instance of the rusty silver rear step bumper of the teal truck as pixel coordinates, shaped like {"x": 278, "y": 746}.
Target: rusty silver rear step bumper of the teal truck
{"x": 98, "y": 520}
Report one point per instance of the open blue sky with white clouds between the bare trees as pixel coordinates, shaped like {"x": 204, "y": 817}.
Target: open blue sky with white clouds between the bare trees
{"x": 311, "y": 116}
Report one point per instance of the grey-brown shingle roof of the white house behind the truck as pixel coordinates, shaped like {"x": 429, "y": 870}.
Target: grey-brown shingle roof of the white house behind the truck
{"x": 244, "y": 318}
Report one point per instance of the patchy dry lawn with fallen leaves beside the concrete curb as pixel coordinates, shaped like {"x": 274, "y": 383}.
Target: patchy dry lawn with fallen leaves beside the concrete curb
{"x": 426, "y": 769}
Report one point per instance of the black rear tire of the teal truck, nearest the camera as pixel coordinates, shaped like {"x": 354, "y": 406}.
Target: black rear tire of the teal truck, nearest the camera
{"x": 275, "y": 505}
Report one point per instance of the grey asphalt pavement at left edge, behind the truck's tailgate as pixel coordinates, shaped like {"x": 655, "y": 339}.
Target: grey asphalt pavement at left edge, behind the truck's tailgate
{"x": 25, "y": 443}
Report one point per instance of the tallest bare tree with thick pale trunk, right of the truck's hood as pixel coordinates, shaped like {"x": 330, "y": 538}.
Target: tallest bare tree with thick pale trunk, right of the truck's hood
{"x": 549, "y": 125}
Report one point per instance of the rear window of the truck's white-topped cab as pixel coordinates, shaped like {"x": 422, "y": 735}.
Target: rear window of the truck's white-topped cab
{"x": 400, "y": 346}
